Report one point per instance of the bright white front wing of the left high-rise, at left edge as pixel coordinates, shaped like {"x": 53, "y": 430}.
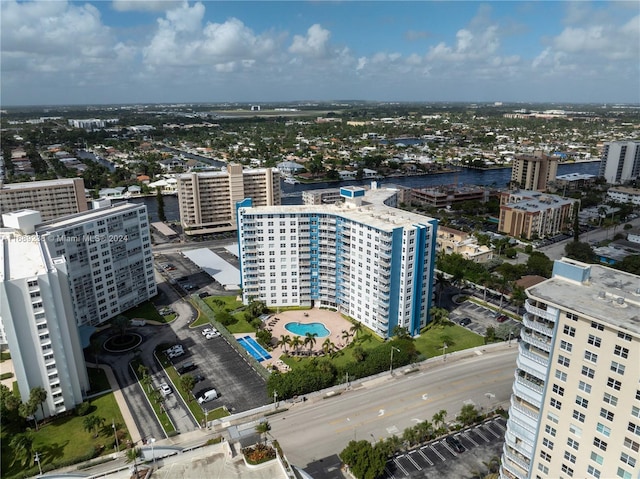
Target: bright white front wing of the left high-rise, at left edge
{"x": 39, "y": 324}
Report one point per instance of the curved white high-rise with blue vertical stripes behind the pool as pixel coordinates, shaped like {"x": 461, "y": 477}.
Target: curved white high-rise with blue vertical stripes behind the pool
{"x": 370, "y": 261}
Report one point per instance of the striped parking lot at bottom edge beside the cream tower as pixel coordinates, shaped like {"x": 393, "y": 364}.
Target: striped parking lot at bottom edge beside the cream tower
{"x": 439, "y": 459}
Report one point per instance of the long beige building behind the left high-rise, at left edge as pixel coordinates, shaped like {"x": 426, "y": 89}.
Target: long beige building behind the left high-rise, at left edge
{"x": 52, "y": 198}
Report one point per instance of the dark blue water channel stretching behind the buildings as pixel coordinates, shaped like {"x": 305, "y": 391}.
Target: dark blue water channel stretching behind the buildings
{"x": 292, "y": 194}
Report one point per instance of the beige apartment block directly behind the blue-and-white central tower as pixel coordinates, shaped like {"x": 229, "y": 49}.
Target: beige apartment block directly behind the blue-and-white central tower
{"x": 208, "y": 200}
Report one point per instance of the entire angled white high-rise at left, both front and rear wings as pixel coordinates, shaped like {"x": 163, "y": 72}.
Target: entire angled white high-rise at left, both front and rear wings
{"x": 59, "y": 276}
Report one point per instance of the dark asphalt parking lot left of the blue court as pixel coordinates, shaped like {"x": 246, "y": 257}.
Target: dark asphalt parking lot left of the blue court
{"x": 239, "y": 386}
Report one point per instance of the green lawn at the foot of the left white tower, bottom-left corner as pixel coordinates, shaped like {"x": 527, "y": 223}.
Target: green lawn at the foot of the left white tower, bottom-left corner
{"x": 64, "y": 441}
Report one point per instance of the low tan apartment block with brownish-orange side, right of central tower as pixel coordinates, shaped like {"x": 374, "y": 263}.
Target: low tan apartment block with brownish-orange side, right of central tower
{"x": 531, "y": 214}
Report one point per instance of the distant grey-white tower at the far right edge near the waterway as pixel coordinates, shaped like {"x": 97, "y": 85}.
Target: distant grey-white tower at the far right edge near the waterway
{"x": 620, "y": 161}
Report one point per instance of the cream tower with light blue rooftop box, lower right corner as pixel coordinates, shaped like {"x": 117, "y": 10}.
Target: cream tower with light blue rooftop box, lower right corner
{"x": 575, "y": 407}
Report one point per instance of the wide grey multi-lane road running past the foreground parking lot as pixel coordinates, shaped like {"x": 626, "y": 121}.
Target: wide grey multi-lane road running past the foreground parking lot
{"x": 314, "y": 431}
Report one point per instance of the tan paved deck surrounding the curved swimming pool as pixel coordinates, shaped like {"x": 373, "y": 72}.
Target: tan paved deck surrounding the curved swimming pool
{"x": 333, "y": 321}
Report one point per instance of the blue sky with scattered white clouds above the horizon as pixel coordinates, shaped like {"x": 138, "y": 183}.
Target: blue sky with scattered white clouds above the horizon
{"x": 59, "y": 52}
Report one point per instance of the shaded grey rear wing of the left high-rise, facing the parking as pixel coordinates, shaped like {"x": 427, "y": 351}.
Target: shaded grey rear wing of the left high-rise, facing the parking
{"x": 109, "y": 257}
